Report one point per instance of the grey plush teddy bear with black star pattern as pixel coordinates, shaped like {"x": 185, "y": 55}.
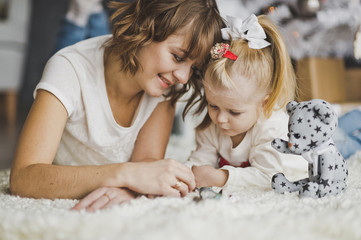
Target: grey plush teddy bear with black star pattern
{"x": 311, "y": 125}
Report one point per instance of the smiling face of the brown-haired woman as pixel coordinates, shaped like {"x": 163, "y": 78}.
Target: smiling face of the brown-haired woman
{"x": 163, "y": 64}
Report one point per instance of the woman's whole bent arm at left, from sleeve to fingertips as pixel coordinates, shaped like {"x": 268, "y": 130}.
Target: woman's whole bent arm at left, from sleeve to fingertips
{"x": 33, "y": 174}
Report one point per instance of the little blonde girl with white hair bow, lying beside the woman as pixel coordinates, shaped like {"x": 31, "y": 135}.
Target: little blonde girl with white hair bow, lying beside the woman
{"x": 246, "y": 86}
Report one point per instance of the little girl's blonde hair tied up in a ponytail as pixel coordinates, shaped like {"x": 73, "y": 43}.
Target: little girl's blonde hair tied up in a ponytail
{"x": 270, "y": 67}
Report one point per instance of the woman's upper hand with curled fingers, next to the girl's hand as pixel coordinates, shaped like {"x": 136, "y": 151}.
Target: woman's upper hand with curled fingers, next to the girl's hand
{"x": 166, "y": 177}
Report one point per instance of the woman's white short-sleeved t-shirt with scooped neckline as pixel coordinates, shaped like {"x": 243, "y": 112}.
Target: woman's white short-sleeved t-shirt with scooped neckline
{"x": 75, "y": 75}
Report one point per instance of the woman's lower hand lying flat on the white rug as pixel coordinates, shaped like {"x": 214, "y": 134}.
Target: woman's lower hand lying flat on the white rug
{"x": 103, "y": 198}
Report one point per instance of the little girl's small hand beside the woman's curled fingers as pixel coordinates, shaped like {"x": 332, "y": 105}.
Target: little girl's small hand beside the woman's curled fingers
{"x": 208, "y": 176}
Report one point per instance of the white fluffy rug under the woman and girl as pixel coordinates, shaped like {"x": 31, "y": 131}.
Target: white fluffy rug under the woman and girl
{"x": 249, "y": 214}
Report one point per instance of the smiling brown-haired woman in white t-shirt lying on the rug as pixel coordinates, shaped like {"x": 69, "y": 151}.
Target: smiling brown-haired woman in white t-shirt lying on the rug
{"x": 104, "y": 108}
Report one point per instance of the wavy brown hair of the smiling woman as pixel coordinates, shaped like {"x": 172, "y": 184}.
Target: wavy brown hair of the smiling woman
{"x": 142, "y": 22}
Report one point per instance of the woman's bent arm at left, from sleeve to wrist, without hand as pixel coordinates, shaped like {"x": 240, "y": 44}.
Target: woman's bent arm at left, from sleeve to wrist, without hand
{"x": 33, "y": 174}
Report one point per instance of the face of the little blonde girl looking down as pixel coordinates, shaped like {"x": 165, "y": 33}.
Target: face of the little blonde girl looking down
{"x": 234, "y": 111}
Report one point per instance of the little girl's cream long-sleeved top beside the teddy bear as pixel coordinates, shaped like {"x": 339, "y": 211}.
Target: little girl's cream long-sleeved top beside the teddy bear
{"x": 255, "y": 148}
